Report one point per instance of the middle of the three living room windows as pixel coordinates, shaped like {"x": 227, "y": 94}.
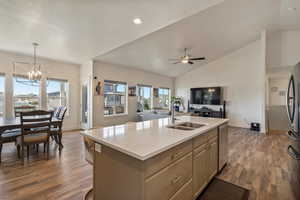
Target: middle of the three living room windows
{"x": 144, "y": 98}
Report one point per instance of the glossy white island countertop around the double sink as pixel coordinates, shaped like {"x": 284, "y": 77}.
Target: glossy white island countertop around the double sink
{"x": 143, "y": 140}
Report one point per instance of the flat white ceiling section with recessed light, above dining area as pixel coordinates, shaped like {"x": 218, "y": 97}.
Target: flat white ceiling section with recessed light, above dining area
{"x": 78, "y": 30}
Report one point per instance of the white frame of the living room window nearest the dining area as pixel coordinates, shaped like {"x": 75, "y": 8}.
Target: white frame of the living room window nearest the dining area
{"x": 115, "y": 93}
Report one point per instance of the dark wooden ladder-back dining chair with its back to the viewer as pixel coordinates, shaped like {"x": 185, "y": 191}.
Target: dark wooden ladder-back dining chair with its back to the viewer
{"x": 35, "y": 129}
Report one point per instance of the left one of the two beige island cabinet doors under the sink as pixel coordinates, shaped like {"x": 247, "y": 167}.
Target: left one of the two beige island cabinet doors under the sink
{"x": 200, "y": 170}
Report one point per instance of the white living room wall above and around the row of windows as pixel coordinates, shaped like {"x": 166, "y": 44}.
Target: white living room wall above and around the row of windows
{"x": 132, "y": 77}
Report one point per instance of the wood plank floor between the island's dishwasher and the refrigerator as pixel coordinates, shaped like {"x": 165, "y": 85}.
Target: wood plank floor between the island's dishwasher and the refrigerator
{"x": 259, "y": 163}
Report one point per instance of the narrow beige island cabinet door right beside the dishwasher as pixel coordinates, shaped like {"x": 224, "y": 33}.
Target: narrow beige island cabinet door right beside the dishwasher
{"x": 213, "y": 159}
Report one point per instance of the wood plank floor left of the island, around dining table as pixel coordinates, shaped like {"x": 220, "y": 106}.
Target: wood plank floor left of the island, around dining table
{"x": 63, "y": 177}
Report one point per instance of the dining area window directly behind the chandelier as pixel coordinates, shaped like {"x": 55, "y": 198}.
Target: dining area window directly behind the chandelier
{"x": 26, "y": 94}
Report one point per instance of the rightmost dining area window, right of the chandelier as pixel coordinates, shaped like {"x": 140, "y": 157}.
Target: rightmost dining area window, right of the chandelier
{"x": 57, "y": 93}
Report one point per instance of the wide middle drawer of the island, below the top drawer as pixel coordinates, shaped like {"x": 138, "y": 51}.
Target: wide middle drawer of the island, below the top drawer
{"x": 163, "y": 185}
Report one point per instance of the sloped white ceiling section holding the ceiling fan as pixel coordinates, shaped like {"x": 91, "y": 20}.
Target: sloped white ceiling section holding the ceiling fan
{"x": 212, "y": 33}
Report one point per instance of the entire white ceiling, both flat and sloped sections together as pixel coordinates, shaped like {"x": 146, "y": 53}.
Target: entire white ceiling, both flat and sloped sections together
{"x": 76, "y": 30}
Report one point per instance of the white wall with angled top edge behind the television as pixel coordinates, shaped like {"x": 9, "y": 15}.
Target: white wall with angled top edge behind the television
{"x": 242, "y": 74}
